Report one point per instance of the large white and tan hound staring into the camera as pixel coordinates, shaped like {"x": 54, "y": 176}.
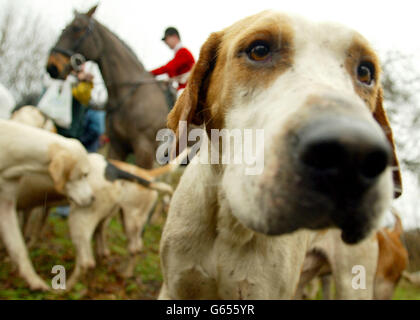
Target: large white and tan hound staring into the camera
{"x": 314, "y": 90}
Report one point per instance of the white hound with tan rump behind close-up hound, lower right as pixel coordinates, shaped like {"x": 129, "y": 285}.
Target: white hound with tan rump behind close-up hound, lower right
{"x": 383, "y": 257}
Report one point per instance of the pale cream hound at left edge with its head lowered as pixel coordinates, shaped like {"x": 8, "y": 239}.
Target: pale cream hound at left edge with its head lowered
{"x": 29, "y": 154}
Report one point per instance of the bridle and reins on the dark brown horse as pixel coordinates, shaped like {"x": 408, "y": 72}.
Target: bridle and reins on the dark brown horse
{"x": 76, "y": 59}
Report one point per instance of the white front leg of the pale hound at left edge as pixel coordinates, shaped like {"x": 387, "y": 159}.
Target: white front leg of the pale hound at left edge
{"x": 15, "y": 245}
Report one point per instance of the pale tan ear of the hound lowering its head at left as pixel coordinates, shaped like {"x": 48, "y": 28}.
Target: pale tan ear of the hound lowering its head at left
{"x": 60, "y": 167}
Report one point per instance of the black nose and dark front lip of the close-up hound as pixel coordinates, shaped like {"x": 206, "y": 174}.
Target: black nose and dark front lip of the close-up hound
{"x": 342, "y": 159}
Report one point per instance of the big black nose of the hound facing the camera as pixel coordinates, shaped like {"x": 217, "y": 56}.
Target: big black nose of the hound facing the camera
{"x": 341, "y": 154}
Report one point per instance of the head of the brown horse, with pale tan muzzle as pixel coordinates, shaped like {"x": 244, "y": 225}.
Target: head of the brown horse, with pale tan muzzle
{"x": 77, "y": 41}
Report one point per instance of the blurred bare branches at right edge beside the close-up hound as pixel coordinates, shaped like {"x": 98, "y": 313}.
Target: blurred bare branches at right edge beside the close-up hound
{"x": 401, "y": 83}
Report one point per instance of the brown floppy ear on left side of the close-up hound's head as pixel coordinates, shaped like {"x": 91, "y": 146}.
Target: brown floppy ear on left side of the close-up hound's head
{"x": 189, "y": 105}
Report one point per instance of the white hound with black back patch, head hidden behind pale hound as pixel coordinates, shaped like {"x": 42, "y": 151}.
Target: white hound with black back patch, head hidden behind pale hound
{"x": 112, "y": 195}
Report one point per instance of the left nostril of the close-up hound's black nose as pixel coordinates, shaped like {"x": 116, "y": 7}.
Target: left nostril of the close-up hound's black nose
{"x": 324, "y": 155}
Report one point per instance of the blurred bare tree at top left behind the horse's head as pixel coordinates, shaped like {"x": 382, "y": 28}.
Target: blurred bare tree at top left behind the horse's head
{"x": 24, "y": 43}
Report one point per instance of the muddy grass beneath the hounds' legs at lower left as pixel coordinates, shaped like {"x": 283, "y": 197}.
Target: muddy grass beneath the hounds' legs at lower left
{"x": 104, "y": 282}
